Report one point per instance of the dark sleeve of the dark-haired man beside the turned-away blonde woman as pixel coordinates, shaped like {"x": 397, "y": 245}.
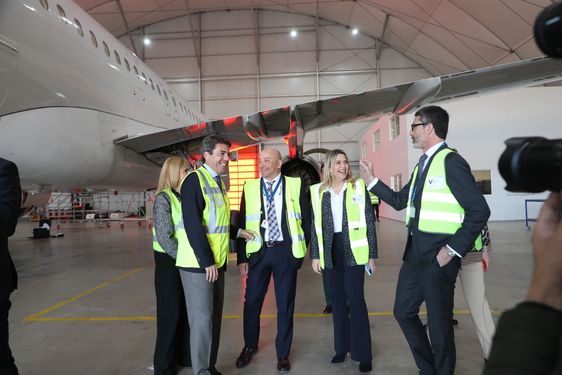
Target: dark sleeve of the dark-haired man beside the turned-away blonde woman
{"x": 192, "y": 205}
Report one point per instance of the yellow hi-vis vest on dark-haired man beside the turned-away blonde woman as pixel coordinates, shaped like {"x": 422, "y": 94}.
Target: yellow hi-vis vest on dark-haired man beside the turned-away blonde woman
{"x": 215, "y": 220}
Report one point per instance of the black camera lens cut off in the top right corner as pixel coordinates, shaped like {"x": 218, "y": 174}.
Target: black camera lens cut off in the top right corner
{"x": 548, "y": 30}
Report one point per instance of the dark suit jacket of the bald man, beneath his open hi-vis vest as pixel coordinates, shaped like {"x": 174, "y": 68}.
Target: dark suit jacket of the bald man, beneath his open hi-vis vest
{"x": 304, "y": 202}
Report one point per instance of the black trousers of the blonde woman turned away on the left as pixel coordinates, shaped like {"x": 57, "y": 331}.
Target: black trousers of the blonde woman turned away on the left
{"x": 172, "y": 327}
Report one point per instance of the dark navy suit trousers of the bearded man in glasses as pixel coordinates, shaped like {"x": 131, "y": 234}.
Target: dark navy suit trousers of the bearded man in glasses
{"x": 435, "y": 285}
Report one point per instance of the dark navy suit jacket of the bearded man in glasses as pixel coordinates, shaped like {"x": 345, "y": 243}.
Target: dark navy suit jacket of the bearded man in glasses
{"x": 424, "y": 246}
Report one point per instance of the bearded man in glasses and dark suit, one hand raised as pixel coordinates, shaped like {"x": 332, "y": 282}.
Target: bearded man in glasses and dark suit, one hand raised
{"x": 445, "y": 214}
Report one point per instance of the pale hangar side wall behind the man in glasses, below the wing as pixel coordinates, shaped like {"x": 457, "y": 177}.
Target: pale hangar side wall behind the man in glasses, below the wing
{"x": 478, "y": 127}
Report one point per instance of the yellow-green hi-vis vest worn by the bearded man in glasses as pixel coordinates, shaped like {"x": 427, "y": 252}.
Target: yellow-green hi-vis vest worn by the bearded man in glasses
{"x": 440, "y": 212}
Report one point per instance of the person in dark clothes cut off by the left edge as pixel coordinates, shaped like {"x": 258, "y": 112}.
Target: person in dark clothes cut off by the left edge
{"x": 10, "y": 202}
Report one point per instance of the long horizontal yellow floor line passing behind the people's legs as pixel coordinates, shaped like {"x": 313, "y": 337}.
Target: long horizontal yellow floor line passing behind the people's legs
{"x": 263, "y": 316}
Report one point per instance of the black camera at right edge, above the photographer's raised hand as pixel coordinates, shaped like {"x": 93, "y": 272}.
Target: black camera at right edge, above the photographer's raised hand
{"x": 532, "y": 164}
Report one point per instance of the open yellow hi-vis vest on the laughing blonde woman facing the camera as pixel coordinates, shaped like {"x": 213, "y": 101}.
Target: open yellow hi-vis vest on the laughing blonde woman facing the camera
{"x": 355, "y": 201}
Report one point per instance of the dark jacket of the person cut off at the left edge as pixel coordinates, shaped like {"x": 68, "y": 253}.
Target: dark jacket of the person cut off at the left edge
{"x": 10, "y": 203}
